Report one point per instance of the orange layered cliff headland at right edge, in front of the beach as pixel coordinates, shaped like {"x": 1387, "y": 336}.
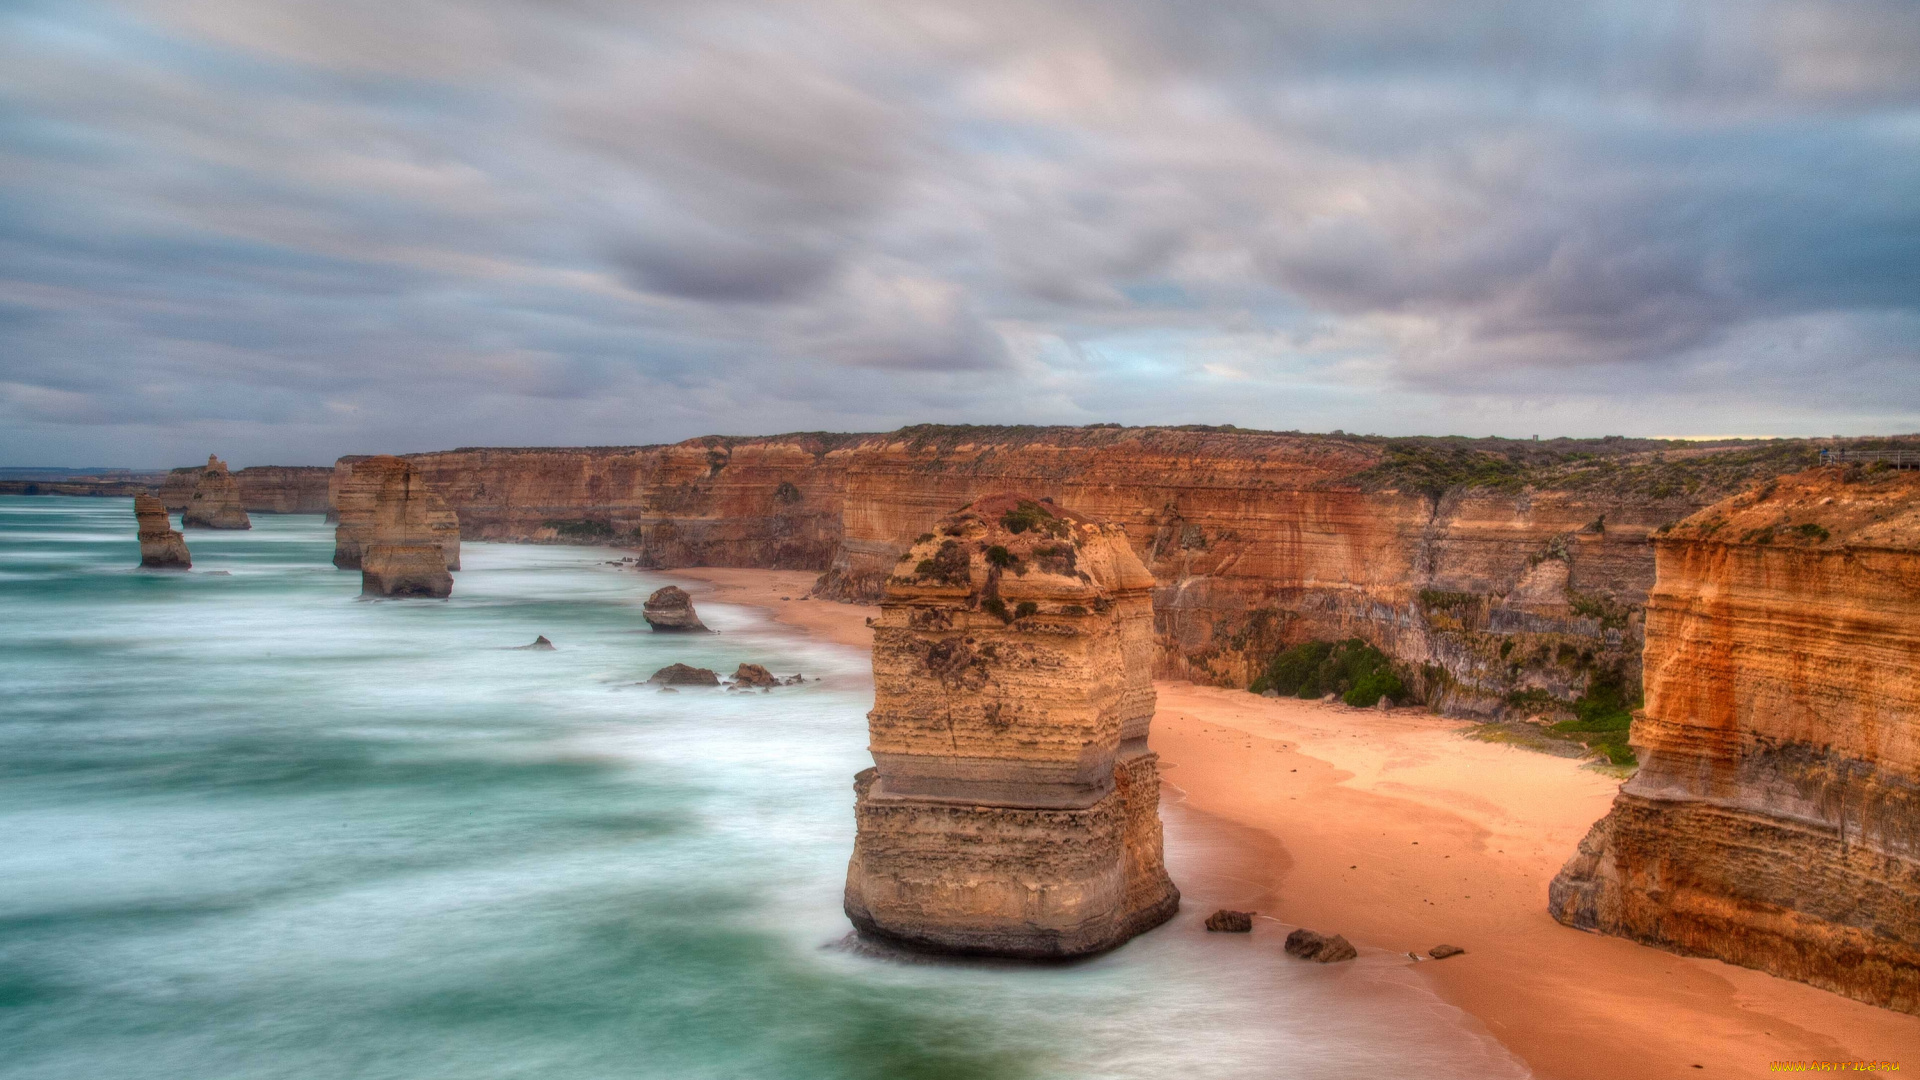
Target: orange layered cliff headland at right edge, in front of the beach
{"x": 1775, "y": 822}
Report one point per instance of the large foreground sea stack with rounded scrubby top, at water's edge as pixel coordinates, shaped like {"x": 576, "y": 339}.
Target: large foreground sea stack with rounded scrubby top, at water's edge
{"x": 1013, "y": 808}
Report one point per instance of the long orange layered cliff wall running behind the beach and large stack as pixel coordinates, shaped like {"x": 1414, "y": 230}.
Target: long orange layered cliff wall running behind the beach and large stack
{"x": 1255, "y": 539}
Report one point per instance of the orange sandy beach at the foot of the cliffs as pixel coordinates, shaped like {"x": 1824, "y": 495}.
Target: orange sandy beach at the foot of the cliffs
{"x": 1403, "y": 833}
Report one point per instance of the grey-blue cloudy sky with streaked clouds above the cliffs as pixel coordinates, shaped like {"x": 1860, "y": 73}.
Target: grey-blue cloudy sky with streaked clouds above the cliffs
{"x": 293, "y": 230}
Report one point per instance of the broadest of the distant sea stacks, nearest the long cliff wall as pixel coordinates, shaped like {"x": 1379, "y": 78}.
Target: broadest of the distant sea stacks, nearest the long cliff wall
{"x": 404, "y": 537}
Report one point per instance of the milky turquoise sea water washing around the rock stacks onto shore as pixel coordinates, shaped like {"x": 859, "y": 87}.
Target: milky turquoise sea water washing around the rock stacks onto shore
{"x": 256, "y": 827}
